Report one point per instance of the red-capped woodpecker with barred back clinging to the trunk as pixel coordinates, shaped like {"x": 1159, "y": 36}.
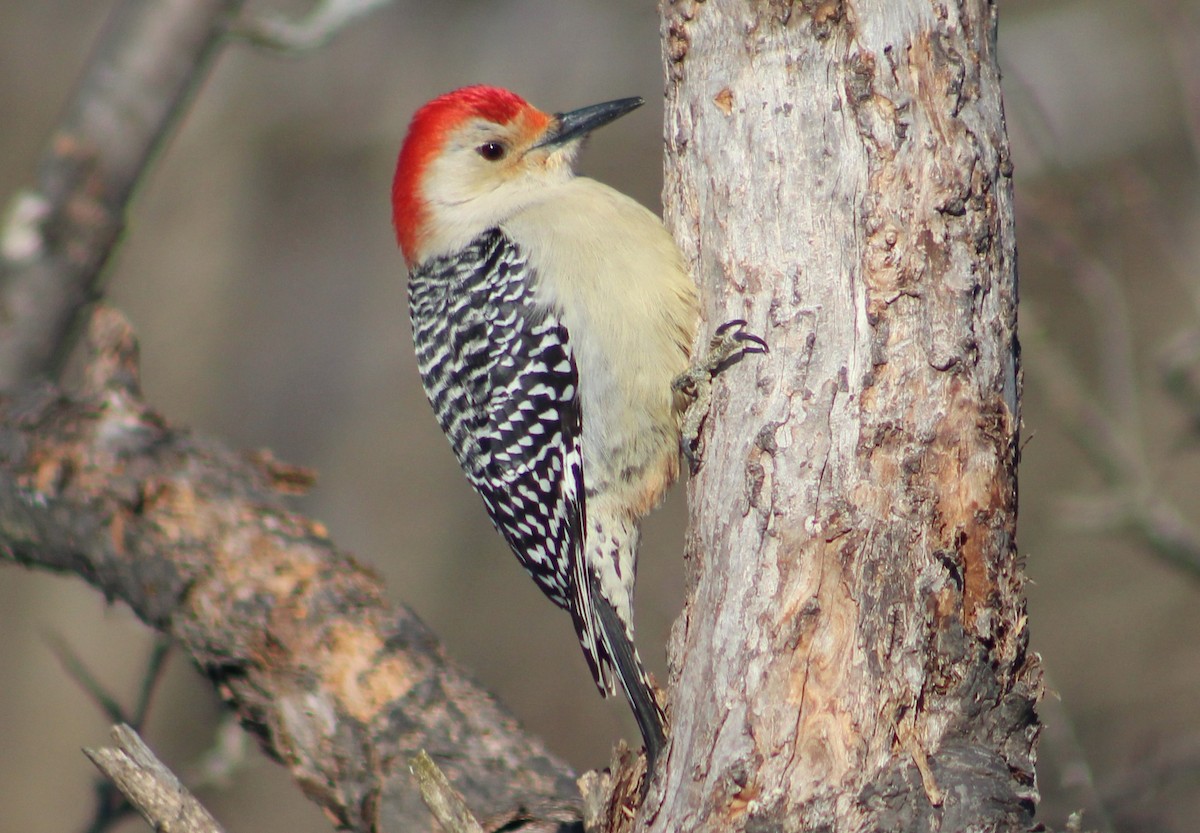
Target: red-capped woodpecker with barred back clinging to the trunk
{"x": 551, "y": 316}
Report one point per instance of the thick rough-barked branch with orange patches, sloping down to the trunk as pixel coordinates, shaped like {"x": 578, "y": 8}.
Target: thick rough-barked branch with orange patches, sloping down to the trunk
{"x": 338, "y": 685}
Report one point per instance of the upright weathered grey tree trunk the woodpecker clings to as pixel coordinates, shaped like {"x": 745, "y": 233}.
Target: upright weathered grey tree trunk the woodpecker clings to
{"x": 854, "y": 654}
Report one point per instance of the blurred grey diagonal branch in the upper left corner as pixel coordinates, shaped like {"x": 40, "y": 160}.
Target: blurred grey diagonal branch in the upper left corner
{"x": 59, "y": 236}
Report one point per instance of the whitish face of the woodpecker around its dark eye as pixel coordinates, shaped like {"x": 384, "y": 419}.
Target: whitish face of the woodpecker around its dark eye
{"x": 485, "y": 175}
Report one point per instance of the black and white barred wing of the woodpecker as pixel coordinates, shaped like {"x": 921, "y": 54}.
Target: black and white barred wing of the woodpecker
{"x": 500, "y": 374}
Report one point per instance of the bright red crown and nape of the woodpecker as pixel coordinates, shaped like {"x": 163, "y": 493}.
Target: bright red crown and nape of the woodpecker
{"x": 427, "y": 135}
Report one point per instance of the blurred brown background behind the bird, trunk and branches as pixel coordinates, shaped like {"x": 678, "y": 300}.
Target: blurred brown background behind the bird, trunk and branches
{"x": 262, "y": 277}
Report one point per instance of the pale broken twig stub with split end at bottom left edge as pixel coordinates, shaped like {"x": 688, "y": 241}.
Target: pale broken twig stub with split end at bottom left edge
{"x": 151, "y": 786}
